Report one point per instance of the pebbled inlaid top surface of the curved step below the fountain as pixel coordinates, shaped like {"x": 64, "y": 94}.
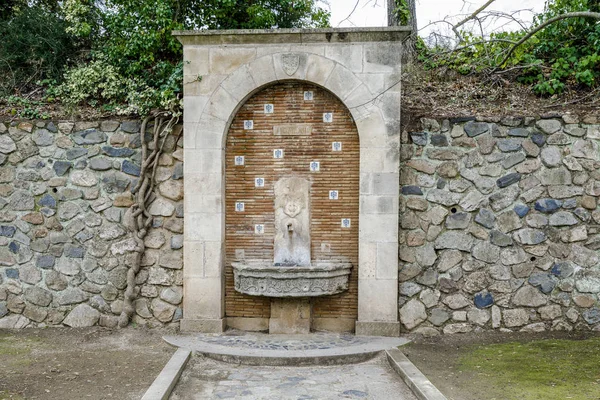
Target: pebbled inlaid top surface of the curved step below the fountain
{"x": 280, "y": 342}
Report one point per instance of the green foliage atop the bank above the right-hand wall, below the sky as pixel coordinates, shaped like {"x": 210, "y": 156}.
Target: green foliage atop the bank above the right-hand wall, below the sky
{"x": 564, "y": 54}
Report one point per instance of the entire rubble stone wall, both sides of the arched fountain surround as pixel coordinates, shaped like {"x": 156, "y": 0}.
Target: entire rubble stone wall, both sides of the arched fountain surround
{"x": 499, "y": 225}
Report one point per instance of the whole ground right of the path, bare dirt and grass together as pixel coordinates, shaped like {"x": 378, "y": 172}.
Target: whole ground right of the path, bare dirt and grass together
{"x": 504, "y": 366}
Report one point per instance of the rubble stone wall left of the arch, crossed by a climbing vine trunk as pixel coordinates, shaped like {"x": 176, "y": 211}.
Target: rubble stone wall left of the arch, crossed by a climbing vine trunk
{"x": 64, "y": 252}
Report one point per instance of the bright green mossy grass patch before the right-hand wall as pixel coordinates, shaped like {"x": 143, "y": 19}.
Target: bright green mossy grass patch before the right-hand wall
{"x": 541, "y": 369}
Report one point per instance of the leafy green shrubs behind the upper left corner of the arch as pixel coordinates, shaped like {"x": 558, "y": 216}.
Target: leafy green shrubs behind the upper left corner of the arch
{"x": 135, "y": 61}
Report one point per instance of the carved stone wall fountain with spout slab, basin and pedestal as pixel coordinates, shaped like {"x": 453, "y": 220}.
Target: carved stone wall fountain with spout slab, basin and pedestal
{"x": 291, "y": 278}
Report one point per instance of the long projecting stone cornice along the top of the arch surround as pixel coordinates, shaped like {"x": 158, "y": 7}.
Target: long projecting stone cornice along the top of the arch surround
{"x": 290, "y": 36}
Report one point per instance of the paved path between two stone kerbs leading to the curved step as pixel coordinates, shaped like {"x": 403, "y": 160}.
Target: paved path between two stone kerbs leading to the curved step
{"x": 205, "y": 378}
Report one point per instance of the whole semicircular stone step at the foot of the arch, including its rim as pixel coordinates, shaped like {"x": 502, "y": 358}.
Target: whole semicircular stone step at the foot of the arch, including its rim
{"x": 270, "y": 349}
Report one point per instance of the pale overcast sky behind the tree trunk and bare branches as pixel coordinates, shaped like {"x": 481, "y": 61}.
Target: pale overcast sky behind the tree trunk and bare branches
{"x": 373, "y": 12}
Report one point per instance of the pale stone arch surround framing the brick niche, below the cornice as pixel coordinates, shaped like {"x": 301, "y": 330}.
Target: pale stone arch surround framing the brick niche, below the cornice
{"x": 362, "y": 78}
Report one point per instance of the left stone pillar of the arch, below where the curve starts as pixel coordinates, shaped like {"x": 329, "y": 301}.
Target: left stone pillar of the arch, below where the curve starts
{"x": 204, "y": 237}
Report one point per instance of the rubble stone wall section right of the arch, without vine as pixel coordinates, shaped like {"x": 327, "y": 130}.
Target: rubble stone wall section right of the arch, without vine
{"x": 500, "y": 225}
